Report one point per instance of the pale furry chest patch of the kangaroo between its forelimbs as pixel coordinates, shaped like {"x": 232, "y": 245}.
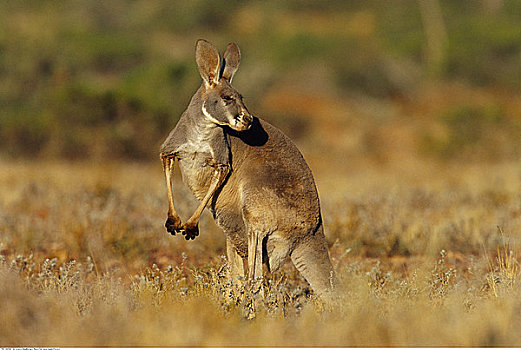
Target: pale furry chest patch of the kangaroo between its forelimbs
{"x": 196, "y": 172}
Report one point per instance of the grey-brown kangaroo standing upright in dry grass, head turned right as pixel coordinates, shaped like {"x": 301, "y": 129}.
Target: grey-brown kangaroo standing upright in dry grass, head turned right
{"x": 251, "y": 176}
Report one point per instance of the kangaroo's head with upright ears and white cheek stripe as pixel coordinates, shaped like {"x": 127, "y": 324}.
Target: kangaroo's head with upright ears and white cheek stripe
{"x": 221, "y": 103}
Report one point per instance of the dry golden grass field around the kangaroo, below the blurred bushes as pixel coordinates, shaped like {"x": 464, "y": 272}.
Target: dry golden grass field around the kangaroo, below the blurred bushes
{"x": 427, "y": 255}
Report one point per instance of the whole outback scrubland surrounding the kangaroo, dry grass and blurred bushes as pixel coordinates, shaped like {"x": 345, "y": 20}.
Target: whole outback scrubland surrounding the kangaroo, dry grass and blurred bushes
{"x": 408, "y": 112}
